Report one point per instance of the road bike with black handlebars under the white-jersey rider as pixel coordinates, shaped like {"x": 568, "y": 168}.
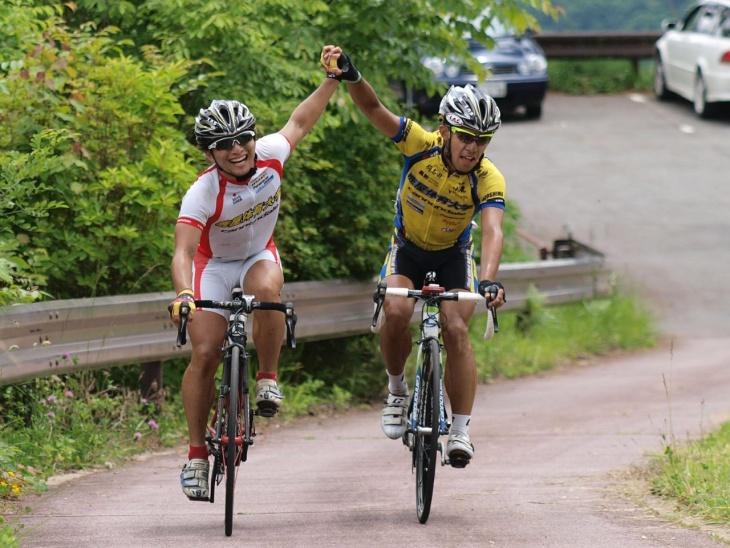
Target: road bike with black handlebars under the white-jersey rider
{"x": 232, "y": 428}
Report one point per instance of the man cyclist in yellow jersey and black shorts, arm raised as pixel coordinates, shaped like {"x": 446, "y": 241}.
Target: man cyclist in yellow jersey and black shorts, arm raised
{"x": 446, "y": 182}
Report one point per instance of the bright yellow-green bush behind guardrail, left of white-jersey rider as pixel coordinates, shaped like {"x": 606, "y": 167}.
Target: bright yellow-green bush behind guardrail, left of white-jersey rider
{"x": 115, "y": 166}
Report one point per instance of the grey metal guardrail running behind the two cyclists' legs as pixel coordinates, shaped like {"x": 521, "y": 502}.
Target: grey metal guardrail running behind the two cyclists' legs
{"x": 65, "y": 336}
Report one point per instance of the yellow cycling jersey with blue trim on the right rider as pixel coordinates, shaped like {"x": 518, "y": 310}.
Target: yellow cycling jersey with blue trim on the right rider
{"x": 434, "y": 210}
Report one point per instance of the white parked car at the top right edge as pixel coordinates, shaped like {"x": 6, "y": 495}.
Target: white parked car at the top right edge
{"x": 693, "y": 57}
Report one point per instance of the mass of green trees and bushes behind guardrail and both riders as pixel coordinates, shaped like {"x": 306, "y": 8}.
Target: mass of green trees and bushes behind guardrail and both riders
{"x": 120, "y": 82}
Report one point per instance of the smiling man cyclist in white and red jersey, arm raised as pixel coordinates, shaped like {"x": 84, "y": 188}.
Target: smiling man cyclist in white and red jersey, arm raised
{"x": 224, "y": 238}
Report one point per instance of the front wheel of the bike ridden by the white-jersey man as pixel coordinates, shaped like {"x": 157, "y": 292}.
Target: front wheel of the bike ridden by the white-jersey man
{"x": 233, "y": 432}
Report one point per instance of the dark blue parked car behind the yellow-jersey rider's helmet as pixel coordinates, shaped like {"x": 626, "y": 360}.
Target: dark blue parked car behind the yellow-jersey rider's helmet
{"x": 517, "y": 67}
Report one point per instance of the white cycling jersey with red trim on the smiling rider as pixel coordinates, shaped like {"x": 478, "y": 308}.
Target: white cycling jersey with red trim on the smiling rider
{"x": 237, "y": 219}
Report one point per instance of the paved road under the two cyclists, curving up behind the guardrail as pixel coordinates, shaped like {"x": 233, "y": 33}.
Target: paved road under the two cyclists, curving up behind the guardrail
{"x": 644, "y": 182}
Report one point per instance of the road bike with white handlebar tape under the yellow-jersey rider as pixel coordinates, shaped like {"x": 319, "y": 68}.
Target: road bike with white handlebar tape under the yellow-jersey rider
{"x": 427, "y": 417}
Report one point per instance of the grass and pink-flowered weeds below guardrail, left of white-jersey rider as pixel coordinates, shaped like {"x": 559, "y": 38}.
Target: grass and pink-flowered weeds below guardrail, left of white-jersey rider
{"x": 69, "y": 422}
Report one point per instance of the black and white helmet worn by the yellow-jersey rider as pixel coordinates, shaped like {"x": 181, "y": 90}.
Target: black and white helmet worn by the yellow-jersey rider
{"x": 469, "y": 108}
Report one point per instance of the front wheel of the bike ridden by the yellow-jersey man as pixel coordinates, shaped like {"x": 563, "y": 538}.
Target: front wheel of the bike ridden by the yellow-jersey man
{"x": 427, "y": 418}
